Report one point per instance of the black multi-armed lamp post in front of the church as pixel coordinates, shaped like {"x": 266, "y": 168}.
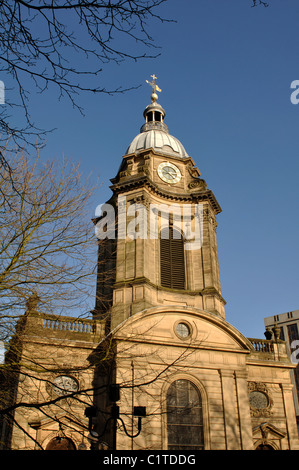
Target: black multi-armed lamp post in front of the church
{"x": 92, "y": 411}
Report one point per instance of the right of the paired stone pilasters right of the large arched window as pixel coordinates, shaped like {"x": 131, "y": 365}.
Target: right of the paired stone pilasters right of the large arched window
{"x": 244, "y": 410}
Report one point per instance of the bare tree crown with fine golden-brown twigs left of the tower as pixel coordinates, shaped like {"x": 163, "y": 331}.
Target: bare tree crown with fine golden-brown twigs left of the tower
{"x": 46, "y": 237}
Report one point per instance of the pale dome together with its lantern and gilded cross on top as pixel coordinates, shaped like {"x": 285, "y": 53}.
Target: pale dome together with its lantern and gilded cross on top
{"x": 154, "y": 132}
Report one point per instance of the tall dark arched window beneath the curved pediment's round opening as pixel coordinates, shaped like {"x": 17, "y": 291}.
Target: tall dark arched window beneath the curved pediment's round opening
{"x": 184, "y": 417}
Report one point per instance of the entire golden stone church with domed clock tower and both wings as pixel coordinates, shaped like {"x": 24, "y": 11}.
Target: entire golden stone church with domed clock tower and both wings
{"x": 158, "y": 367}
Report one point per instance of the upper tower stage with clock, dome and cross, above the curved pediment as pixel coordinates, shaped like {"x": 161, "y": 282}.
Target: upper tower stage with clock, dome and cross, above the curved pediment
{"x": 165, "y": 239}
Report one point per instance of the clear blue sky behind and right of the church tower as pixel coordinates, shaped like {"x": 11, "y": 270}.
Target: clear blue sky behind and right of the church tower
{"x": 225, "y": 71}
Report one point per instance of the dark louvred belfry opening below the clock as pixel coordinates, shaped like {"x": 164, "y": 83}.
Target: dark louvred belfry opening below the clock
{"x": 172, "y": 259}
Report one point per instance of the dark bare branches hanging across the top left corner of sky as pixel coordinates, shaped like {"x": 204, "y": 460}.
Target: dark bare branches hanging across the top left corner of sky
{"x": 42, "y": 43}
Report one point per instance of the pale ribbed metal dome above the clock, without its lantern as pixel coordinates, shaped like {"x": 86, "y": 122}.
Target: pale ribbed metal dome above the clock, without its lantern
{"x": 159, "y": 140}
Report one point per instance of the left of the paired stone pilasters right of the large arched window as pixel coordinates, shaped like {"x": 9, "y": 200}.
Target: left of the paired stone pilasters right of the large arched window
{"x": 232, "y": 436}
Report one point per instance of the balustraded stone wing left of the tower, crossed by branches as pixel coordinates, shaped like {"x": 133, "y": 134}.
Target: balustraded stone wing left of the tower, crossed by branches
{"x": 48, "y": 347}
